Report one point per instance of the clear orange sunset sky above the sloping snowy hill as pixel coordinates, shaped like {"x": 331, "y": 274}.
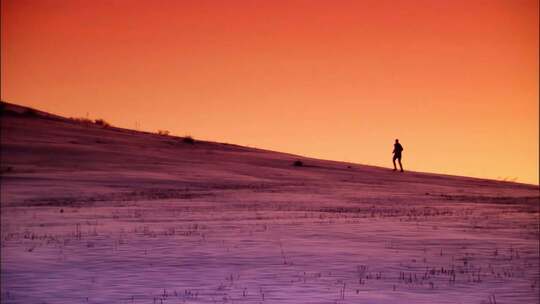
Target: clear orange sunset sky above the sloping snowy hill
{"x": 456, "y": 81}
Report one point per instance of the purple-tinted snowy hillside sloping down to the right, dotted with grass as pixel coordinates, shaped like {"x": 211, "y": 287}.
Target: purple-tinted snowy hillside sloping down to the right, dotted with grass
{"x": 105, "y": 215}
